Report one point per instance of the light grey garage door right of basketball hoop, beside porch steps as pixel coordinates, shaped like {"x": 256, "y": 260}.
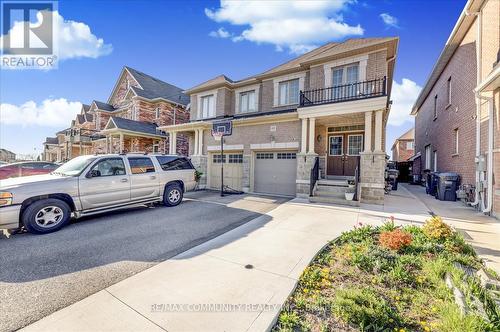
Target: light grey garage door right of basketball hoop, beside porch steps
{"x": 275, "y": 173}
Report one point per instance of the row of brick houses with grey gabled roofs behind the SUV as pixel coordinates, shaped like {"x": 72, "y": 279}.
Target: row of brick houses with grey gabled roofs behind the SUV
{"x": 129, "y": 120}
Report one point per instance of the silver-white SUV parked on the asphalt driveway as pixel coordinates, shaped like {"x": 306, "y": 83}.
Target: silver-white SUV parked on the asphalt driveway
{"x": 92, "y": 184}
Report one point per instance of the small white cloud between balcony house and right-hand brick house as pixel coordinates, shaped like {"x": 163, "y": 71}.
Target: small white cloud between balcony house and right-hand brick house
{"x": 403, "y": 97}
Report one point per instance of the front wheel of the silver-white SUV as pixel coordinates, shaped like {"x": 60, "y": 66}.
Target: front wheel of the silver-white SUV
{"x": 46, "y": 216}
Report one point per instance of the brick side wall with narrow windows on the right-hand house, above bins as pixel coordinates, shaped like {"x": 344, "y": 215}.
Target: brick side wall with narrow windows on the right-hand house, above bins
{"x": 439, "y": 132}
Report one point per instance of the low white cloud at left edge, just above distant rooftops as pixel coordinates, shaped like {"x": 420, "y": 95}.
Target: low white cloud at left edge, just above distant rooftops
{"x": 50, "y": 113}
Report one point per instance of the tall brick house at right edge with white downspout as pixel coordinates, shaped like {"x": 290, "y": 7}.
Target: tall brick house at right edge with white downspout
{"x": 456, "y": 114}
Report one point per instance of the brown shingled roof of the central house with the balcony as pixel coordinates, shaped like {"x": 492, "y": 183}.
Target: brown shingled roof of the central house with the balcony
{"x": 329, "y": 50}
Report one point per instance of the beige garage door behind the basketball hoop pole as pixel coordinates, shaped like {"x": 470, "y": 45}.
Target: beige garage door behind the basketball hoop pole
{"x": 233, "y": 170}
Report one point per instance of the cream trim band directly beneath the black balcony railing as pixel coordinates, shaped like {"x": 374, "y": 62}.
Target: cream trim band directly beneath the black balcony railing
{"x": 355, "y": 106}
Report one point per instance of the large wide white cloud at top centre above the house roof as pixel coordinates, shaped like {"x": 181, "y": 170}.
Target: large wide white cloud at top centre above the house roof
{"x": 297, "y": 26}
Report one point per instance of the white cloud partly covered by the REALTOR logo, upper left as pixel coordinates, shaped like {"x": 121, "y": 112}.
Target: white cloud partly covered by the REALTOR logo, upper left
{"x": 73, "y": 39}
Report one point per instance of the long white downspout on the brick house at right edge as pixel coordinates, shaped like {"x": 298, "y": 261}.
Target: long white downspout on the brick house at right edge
{"x": 478, "y": 107}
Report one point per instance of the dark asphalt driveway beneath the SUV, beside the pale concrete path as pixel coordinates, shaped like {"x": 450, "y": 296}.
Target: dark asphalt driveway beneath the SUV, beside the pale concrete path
{"x": 44, "y": 273}
